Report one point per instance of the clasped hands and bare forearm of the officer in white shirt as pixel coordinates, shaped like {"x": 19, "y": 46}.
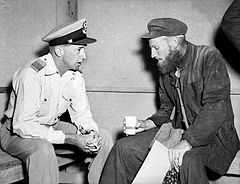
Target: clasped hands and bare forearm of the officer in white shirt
{"x": 89, "y": 143}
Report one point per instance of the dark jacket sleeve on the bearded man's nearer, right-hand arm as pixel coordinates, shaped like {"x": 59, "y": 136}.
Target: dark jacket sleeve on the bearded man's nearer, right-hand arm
{"x": 215, "y": 98}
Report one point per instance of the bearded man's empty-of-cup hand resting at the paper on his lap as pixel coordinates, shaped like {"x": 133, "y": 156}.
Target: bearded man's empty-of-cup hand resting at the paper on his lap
{"x": 176, "y": 153}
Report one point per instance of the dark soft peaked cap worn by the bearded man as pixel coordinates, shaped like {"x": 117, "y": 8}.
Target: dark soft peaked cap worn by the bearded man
{"x": 165, "y": 27}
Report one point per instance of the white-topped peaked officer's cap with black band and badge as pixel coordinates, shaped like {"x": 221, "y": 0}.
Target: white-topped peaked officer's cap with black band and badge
{"x": 74, "y": 33}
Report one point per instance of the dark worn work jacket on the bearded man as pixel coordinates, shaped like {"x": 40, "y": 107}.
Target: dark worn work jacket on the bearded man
{"x": 205, "y": 90}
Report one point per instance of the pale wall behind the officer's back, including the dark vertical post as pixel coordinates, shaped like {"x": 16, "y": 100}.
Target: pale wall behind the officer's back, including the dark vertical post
{"x": 23, "y": 23}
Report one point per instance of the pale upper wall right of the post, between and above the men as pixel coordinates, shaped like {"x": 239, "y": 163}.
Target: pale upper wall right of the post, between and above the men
{"x": 118, "y": 26}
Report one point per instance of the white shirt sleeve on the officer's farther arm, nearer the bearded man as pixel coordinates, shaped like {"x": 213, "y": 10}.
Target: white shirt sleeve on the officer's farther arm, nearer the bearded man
{"x": 79, "y": 109}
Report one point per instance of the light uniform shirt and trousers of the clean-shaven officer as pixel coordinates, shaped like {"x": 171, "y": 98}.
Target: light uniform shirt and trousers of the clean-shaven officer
{"x": 39, "y": 96}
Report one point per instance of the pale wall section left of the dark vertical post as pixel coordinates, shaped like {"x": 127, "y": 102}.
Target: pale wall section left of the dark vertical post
{"x": 22, "y": 26}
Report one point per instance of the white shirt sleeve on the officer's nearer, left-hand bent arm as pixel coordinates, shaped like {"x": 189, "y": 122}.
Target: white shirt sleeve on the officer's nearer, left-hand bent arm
{"x": 27, "y": 90}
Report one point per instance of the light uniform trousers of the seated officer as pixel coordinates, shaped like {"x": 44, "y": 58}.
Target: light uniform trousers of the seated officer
{"x": 39, "y": 158}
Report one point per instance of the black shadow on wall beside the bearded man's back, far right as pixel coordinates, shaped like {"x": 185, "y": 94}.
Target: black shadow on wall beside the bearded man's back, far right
{"x": 229, "y": 52}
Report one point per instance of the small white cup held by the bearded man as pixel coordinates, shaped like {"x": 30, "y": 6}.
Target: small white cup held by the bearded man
{"x": 130, "y": 123}
